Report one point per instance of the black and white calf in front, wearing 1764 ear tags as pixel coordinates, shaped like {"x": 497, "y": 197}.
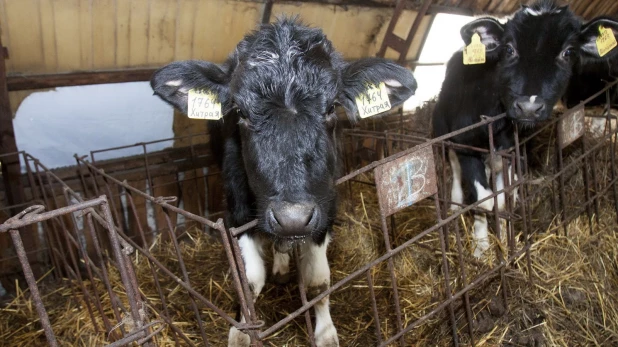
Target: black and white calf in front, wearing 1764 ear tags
{"x": 278, "y": 143}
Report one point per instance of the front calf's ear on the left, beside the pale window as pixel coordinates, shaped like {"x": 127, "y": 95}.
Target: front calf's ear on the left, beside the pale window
{"x": 173, "y": 82}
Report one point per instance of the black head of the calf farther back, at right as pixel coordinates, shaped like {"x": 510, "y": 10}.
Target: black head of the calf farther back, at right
{"x": 536, "y": 51}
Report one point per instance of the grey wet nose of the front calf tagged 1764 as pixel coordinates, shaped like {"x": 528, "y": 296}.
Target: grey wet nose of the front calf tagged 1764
{"x": 292, "y": 220}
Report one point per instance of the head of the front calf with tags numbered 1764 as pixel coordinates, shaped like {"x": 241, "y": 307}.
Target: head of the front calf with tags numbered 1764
{"x": 278, "y": 91}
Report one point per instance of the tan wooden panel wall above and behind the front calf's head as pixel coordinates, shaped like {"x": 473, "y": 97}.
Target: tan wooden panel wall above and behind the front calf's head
{"x": 56, "y": 36}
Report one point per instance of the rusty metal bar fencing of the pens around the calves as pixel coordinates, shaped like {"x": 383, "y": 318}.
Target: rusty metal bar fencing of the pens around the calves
{"x": 123, "y": 222}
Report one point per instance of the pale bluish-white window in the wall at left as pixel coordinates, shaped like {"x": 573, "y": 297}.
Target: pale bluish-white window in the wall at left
{"x": 54, "y": 125}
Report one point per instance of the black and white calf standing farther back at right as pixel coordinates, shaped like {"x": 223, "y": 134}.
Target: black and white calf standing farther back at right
{"x": 529, "y": 61}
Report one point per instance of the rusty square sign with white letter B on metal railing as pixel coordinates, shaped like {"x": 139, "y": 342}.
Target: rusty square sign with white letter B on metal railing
{"x": 406, "y": 180}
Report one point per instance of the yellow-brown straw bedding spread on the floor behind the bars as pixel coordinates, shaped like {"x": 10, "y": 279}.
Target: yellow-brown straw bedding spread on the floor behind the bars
{"x": 573, "y": 301}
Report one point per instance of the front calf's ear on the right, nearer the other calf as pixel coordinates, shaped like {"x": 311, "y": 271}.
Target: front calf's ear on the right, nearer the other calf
{"x": 399, "y": 82}
